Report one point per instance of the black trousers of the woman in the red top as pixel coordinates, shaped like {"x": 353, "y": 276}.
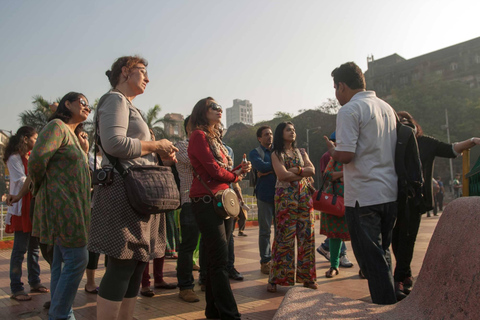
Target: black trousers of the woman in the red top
{"x": 220, "y": 302}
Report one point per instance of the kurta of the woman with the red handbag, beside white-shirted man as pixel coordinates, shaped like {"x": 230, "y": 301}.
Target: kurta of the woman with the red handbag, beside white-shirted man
{"x": 332, "y": 226}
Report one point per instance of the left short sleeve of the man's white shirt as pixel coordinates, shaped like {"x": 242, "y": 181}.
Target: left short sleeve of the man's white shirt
{"x": 347, "y": 130}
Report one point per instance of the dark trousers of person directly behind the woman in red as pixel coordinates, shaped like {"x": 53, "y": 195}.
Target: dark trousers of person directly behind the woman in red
{"x": 189, "y": 231}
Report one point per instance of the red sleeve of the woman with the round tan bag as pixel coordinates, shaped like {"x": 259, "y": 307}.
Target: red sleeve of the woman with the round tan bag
{"x": 201, "y": 151}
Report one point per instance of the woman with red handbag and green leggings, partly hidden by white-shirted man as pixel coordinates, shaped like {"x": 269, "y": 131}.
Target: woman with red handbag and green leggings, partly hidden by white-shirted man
{"x": 335, "y": 228}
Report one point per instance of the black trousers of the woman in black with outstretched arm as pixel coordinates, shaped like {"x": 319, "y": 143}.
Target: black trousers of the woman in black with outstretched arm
{"x": 403, "y": 239}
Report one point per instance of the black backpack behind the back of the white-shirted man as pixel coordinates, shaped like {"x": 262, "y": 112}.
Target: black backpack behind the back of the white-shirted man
{"x": 408, "y": 167}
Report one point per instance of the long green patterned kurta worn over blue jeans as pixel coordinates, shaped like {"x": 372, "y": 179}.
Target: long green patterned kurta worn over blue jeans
{"x": 59, "y": 170}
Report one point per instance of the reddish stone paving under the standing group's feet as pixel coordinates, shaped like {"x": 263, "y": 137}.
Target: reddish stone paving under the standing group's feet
{"x": 254, "y": 302}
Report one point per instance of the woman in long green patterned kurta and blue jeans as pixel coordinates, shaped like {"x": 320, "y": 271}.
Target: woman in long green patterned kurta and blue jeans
{"x": 59, "y": 170}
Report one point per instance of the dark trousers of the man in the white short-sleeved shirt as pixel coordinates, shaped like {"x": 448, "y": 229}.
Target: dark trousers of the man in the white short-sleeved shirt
{"x": 371, "y": 233}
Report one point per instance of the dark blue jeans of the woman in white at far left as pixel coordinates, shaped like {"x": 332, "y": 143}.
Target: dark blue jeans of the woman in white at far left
{"x": 23, "y": 242}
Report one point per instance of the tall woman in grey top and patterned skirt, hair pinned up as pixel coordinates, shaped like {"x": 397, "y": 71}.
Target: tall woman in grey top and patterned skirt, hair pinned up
{"x": 129, "y": 239}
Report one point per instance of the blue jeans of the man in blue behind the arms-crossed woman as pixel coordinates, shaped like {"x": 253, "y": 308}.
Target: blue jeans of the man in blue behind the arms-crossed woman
{"x": 266, "y": 214}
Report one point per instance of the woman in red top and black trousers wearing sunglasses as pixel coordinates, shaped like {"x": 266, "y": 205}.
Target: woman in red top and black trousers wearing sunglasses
{"x": 211, "y": 162}
